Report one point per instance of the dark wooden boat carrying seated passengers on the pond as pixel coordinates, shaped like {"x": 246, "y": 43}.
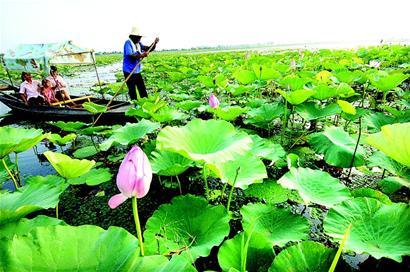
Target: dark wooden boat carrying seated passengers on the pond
{"x": 65, "y": 110}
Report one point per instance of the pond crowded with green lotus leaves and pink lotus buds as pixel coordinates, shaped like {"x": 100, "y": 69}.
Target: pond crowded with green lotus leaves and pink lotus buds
{"x": 292, "y": 160}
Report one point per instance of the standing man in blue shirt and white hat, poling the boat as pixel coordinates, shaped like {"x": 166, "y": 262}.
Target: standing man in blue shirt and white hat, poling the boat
{"x": 134, "y": 52}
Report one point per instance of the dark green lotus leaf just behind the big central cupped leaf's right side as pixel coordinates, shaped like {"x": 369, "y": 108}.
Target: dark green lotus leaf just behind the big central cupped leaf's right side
{"x": 265, "y": 114}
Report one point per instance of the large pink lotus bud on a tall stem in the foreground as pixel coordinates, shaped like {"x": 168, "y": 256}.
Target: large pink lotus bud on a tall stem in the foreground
{"x": 133, "y": 178}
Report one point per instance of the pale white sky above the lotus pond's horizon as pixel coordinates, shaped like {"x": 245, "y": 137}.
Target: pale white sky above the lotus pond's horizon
{"x": 104, "y": 25}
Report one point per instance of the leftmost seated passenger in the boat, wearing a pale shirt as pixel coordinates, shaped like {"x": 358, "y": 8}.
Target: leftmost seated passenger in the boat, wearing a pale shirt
{"x": 30, "y": 90}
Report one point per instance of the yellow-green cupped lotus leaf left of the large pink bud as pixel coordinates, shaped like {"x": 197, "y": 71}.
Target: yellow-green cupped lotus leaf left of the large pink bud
{"x": 68, "y": 167}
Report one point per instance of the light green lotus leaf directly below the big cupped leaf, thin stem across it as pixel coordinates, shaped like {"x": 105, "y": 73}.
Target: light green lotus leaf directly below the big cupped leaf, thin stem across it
{"x": 242, "y": 170}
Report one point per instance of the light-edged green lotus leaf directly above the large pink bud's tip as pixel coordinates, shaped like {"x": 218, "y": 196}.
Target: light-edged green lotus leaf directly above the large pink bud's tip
{"x": 129, "y": 133}
